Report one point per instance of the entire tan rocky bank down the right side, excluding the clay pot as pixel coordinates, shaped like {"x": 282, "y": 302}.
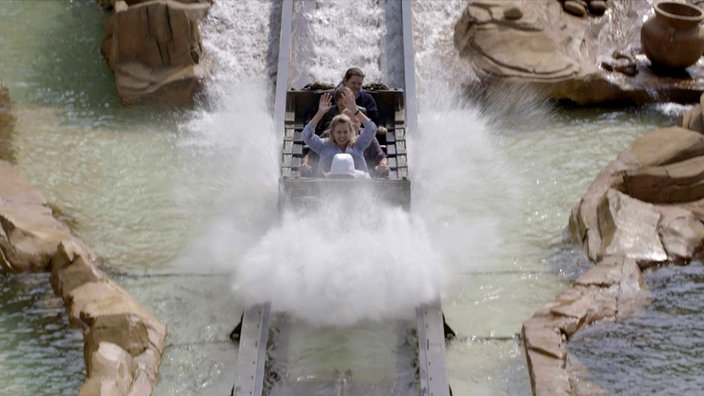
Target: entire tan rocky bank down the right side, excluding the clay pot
{"x": 646, "y": 207}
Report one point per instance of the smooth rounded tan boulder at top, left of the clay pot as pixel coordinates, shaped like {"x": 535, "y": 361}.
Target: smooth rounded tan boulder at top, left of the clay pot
{"x": 521, "y": 48}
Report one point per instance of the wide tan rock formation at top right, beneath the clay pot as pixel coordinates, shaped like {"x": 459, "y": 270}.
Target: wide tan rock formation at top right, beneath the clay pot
{"x": 584, "y": 58}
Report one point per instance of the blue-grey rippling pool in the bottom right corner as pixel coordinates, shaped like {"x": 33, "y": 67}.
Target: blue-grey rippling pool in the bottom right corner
{"x": 660, "y": 349}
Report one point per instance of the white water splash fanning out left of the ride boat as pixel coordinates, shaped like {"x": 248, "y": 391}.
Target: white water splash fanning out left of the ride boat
{"x": 238, "y": 145}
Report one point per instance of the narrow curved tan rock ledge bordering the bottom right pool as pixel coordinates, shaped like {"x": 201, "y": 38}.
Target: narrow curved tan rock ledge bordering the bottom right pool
{"x": 609, "y": 290}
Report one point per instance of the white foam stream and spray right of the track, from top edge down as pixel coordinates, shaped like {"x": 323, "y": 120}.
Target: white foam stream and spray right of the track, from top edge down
{"x": 462, "y": 187}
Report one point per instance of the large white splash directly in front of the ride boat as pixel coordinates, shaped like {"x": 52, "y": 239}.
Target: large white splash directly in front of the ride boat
{"x": 342, "y": 263}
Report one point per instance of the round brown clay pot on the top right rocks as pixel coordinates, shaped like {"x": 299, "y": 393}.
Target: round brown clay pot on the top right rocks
{"x": 672, "y": 38}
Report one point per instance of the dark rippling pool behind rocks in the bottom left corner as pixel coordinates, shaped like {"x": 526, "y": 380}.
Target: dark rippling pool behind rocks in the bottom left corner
{"x": 38, "y": 355}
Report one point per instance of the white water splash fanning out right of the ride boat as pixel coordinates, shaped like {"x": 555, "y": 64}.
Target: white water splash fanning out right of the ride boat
{"x": 462, "y": 187}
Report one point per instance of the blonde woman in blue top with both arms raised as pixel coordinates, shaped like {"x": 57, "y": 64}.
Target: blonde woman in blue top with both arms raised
{"x": 343, "y": 138}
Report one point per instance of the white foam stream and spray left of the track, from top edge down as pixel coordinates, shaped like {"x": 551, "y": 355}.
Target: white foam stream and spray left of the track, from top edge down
{"x": 231, "y": 140}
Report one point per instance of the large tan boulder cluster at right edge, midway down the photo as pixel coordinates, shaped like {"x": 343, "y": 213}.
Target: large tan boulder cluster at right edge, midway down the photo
{"x": 647, "y": 204}
